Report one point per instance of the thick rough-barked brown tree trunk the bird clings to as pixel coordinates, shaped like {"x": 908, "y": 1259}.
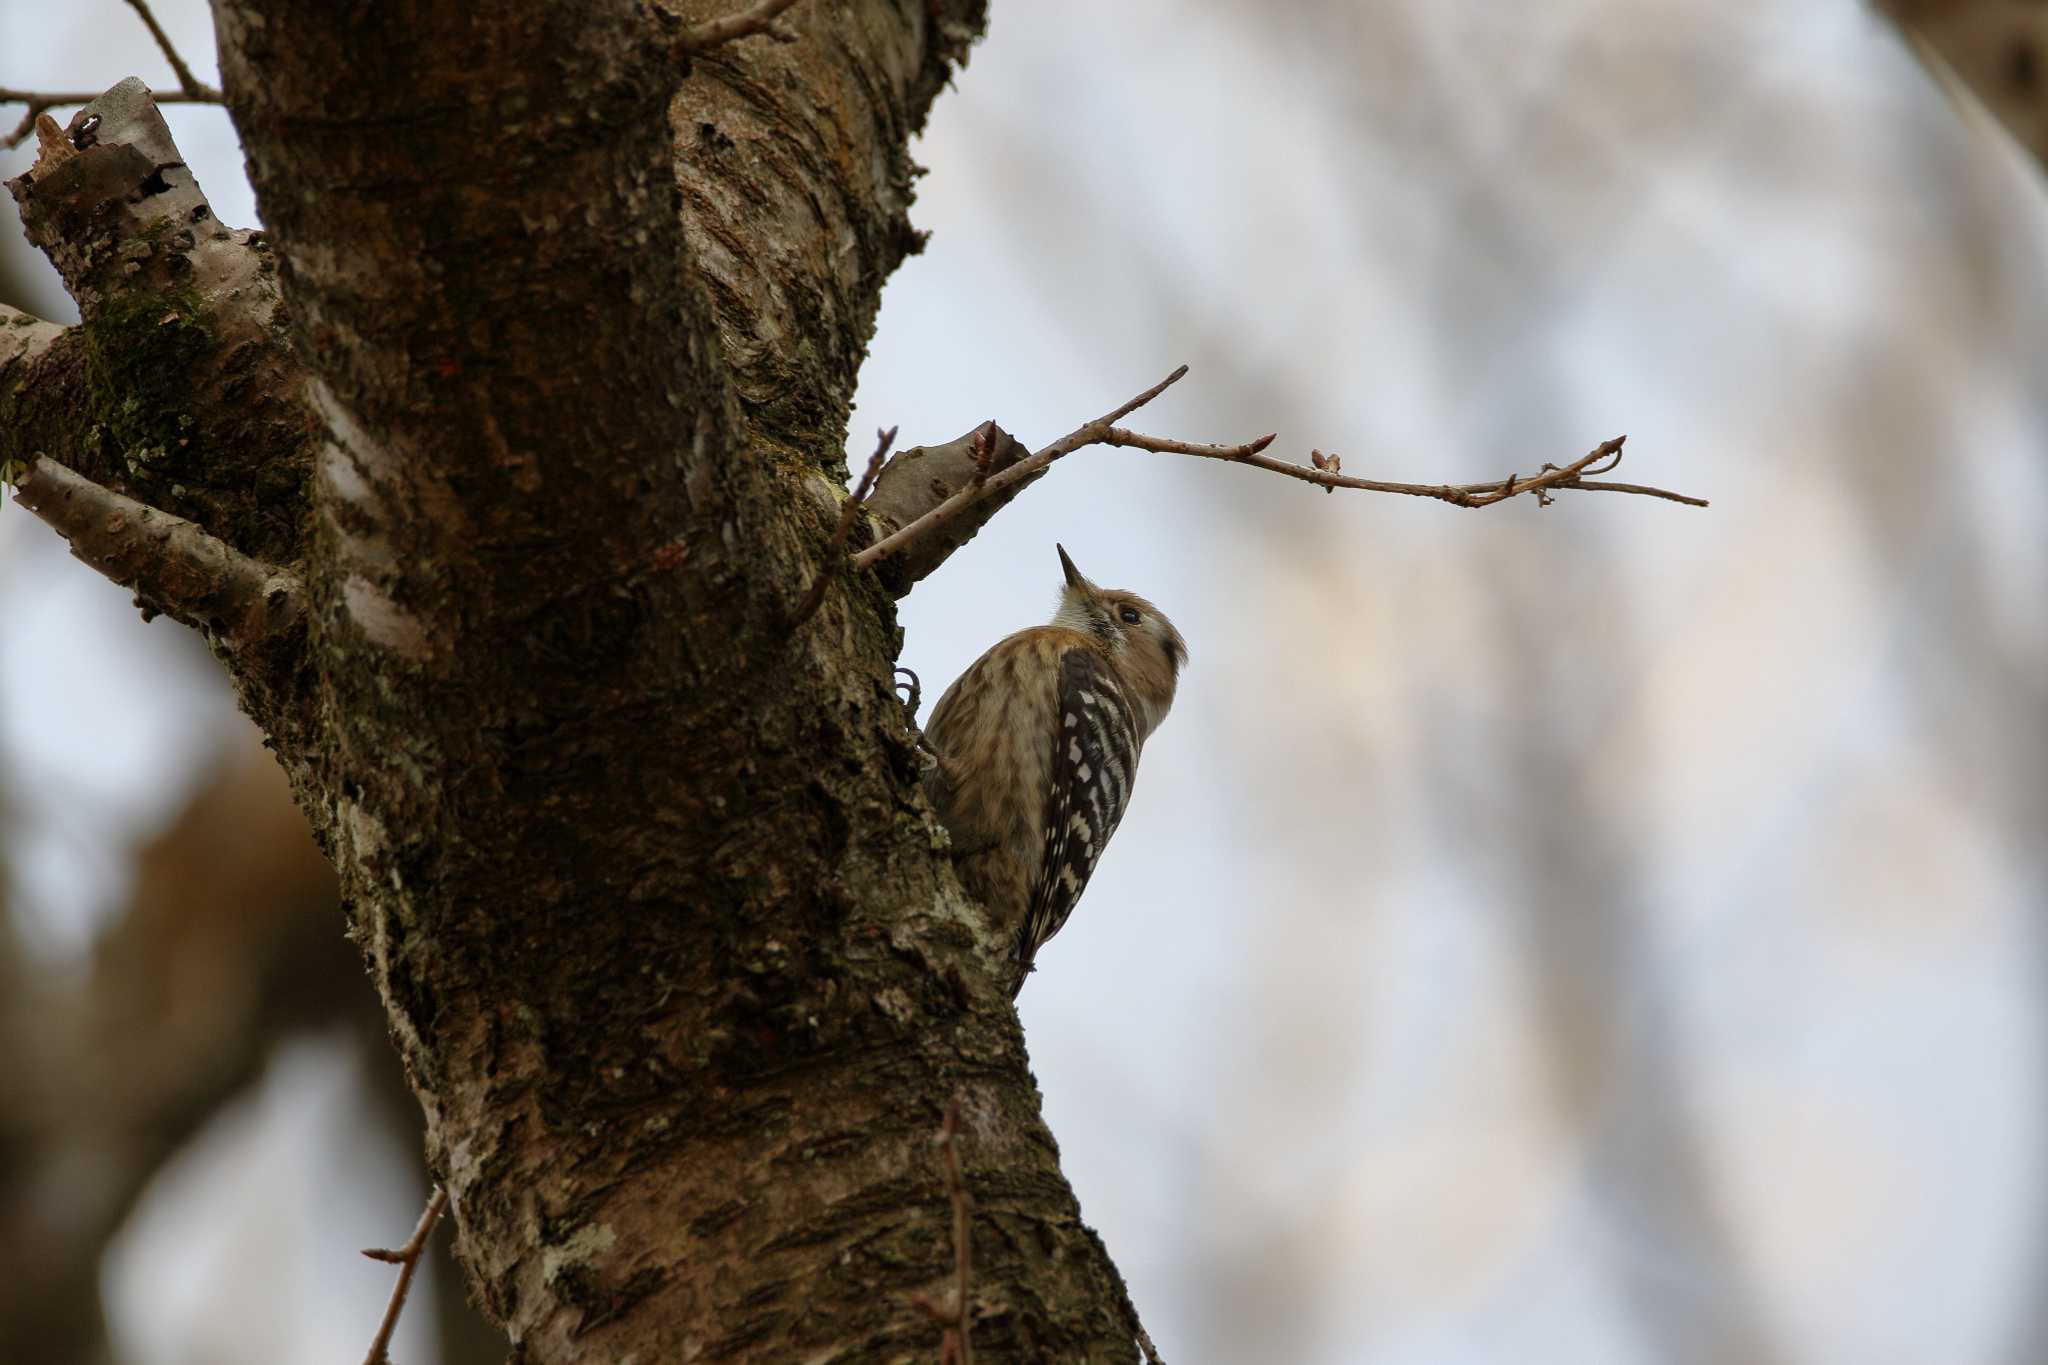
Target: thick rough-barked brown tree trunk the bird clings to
{"x": 665, "y": 932}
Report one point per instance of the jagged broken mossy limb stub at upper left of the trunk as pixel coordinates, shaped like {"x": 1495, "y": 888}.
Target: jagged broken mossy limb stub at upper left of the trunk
{"x": 179, "y": 386}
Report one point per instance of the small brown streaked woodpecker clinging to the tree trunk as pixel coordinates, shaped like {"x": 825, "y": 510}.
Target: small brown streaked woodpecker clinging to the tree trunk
{"x": 1037, "y": 750}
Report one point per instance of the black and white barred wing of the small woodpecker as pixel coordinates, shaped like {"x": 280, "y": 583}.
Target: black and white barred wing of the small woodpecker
{"x": 1095, "y": 764}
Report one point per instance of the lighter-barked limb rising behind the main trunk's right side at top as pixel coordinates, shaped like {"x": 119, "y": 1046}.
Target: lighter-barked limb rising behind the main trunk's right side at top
{"x": 796, "y": 183}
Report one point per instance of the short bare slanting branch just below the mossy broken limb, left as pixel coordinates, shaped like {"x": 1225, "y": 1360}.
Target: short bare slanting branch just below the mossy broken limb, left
{"x": 173, "y": 566}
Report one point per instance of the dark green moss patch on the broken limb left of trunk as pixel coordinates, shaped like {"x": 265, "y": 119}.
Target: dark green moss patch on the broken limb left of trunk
{"x": 140, "y": 357}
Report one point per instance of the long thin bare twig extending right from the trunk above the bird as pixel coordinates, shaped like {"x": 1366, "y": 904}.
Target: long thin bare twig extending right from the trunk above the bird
{"x": 1324, "y": 472}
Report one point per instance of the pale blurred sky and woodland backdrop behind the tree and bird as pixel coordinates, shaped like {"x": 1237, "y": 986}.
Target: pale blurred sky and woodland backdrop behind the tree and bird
{"x": 1601, "y": 934}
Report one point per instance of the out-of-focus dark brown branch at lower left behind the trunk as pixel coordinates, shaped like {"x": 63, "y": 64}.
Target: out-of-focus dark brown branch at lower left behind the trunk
{"x": 230, "y": 942}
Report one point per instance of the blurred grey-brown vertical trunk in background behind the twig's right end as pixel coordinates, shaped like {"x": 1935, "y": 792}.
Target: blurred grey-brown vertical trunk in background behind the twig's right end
{"x": 1568, "y": 881}
